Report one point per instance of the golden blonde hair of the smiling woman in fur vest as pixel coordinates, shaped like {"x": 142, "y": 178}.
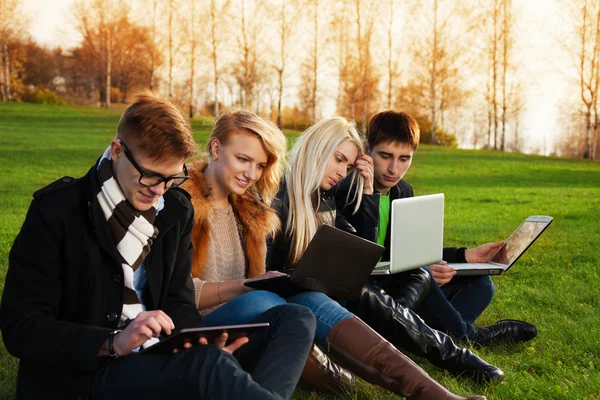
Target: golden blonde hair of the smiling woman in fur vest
{"x": 270, "y": 136}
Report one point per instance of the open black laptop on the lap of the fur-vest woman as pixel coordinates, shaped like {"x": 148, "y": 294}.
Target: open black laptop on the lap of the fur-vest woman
{"x": 335, "y": 262}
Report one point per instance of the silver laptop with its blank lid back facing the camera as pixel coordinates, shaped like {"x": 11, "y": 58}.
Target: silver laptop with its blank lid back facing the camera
{"x": 417, "y": 234}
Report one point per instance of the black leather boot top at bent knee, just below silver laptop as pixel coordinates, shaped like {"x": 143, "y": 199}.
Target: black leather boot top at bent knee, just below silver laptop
{"x": 408, "y": 288}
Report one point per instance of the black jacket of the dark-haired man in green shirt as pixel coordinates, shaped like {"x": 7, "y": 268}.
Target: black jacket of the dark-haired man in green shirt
{"x": 400, "y": 191}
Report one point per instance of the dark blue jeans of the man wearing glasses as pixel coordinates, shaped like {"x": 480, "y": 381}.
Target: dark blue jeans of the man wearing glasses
{"x": 267, "y": 367}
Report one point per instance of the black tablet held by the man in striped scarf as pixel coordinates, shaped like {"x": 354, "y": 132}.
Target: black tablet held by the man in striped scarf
{"x": 192, "y": 335}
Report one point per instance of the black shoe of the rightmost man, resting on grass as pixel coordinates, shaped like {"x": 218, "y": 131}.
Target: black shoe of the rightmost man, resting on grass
{"x": 506, "y": 331}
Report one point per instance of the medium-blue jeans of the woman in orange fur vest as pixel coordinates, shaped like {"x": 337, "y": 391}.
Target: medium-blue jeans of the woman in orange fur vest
{"x": 249, "y": 305}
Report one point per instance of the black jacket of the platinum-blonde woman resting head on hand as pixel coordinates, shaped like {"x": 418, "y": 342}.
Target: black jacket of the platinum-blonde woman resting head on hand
{"x": 364, "y": 223}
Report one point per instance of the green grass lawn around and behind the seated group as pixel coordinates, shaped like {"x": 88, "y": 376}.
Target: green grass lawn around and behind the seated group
{"x": 555, "y": 285}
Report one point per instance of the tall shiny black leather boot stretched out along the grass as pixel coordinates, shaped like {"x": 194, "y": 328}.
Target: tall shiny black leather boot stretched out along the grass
{"x": 407, "y": 331}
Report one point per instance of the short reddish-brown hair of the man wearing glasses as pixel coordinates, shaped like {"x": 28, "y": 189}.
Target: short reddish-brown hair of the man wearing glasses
{"x": 159, "y": 127}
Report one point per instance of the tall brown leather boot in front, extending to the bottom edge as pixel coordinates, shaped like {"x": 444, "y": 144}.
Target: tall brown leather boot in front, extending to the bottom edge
{"x": 359, "y": 348}
